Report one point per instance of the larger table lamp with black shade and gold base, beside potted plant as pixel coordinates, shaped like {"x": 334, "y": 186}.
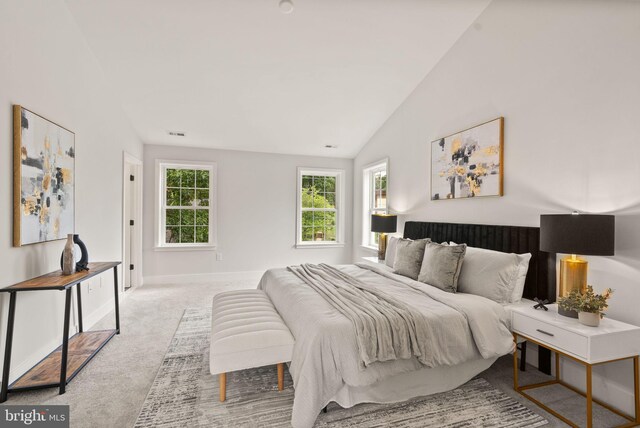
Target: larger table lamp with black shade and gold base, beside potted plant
{"x": 573, "y": 234}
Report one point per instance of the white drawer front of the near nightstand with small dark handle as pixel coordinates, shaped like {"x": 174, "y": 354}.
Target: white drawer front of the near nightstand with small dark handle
{"x": 550, "y": 334}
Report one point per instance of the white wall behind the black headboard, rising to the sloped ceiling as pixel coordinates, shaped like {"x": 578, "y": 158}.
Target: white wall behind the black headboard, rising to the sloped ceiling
{"x": 565, "y": 75}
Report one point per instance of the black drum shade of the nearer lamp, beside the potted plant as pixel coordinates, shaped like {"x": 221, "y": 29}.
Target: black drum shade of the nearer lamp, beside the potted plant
{"x": 584, "y": 234}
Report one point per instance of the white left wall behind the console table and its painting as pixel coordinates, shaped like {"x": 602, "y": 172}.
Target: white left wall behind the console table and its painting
{"x": 47, "y": 67}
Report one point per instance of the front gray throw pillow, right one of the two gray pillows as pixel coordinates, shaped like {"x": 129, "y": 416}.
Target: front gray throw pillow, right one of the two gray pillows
{"x": 441, "y": 265}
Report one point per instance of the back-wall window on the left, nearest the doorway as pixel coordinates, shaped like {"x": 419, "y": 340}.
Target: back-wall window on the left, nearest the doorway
{"x": 187, "y": 205}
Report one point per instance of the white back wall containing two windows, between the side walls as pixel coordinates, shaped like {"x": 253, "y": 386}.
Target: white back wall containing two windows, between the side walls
{"x": 256, "y": 215}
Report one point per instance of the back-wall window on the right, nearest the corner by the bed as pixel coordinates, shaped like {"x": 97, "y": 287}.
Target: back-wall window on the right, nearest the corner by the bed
{"x": 320, "y": 214}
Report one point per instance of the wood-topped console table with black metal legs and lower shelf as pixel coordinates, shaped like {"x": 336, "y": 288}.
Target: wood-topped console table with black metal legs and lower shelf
{"x": 60, "y": 366}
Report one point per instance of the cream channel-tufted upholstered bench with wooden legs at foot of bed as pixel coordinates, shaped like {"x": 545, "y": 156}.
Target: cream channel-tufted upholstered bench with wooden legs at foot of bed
{"x": 247, "y": 332}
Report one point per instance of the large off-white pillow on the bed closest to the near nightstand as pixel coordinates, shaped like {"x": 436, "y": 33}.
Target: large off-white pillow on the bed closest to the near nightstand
{"x": 494, "y": 274}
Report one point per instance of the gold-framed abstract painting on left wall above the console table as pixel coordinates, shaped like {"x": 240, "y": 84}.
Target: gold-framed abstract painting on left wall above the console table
{"x": 43, "y": 179}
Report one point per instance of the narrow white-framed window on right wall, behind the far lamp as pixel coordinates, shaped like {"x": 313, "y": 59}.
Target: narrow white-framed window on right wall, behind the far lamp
{"x": 374, "y": 189}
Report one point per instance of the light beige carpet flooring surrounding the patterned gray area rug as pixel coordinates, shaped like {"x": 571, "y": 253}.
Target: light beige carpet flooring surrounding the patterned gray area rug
{"x": 111, "y": 390}
